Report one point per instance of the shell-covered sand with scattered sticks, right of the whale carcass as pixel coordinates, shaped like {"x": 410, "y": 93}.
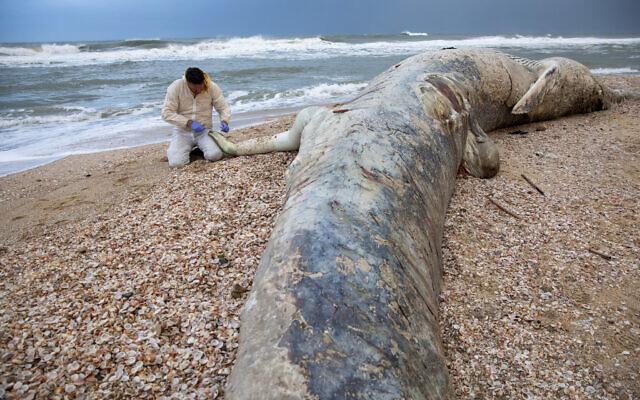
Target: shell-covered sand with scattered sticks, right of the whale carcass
{"x": 546, "y": 304}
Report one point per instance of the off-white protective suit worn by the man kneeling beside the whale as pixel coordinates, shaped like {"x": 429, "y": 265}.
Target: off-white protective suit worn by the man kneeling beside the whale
{"x": 180, "y": 106}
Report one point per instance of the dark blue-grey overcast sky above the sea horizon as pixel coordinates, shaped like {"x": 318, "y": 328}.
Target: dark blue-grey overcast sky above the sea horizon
{"x": 81, "y": 20}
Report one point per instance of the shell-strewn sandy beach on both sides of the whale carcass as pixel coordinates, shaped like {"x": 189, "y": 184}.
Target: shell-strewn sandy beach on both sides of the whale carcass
{"x": 124, "y": 278}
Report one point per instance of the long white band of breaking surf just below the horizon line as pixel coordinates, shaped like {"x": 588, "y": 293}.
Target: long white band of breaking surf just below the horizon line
{"x": 276, "y": 48}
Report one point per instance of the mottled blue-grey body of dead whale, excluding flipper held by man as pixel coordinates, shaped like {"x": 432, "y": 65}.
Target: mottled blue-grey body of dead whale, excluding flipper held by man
{"x": 344, "y": 303}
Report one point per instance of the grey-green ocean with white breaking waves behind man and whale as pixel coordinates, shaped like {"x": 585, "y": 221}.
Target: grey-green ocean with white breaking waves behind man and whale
{"x": 58, "y": 99}
